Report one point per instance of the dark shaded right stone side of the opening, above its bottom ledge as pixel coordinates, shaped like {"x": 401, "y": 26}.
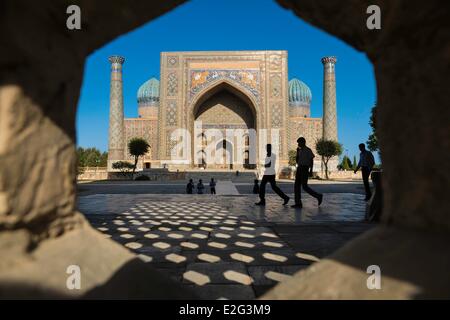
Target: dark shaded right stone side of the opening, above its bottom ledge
{"x": 411, "y": 45}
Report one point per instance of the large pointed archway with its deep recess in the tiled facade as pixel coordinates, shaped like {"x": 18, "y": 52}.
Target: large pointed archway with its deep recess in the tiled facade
{"x": 225, "y": 109}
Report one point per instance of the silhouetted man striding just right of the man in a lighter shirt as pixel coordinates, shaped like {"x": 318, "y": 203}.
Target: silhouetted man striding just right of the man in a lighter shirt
{"x": 305, "y": 161}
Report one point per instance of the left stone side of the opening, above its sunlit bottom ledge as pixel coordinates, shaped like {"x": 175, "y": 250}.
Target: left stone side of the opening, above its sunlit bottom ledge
{"x": 41, "y": 72}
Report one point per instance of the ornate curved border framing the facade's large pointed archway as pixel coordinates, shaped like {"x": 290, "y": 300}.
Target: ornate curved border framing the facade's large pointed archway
{"x": 215, "y": 87}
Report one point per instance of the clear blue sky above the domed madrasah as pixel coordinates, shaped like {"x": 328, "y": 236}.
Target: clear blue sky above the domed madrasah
{"x": 229, "y": 25}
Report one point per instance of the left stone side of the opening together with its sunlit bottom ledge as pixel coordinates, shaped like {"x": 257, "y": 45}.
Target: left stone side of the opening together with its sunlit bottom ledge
{"x": 41, "y": 70}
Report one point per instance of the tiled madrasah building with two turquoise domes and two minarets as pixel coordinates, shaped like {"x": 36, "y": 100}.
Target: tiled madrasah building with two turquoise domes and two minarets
{"x": 238, "y": 90}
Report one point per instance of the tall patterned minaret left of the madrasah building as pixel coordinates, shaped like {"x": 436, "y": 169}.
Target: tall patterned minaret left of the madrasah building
{"x": 116, "y": 129}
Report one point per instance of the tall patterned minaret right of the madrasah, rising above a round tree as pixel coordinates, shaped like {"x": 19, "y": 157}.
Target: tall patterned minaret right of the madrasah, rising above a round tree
{"x": 329, "y": 99}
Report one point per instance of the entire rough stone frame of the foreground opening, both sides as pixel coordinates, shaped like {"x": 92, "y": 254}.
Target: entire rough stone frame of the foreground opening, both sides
{"x": 31, "y": 117}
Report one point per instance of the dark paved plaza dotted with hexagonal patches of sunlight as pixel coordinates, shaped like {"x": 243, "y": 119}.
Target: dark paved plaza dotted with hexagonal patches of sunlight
{"x": 225, "y": 246}
